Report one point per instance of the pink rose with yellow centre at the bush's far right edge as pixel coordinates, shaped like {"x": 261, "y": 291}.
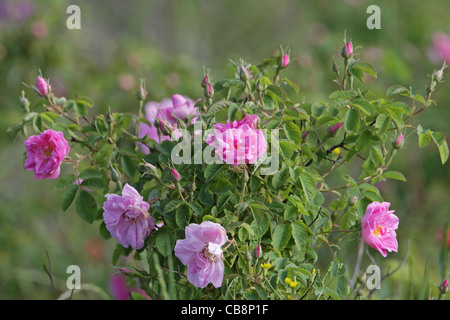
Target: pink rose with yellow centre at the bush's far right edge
{"x": 378, "y": 227}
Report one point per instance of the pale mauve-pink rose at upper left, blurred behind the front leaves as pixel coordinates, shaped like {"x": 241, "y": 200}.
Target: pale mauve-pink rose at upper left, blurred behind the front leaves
{"x": 166, "y": 115}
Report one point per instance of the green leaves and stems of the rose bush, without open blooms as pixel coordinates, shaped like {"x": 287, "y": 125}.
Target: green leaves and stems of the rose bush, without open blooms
{"x": 276, "y": 222}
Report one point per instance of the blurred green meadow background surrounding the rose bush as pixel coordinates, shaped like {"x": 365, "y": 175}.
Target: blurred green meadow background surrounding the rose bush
{"x": 168, "y": 43}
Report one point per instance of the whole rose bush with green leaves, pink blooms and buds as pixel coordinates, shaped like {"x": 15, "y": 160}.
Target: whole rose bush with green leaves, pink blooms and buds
{"x": 248, "y": 222}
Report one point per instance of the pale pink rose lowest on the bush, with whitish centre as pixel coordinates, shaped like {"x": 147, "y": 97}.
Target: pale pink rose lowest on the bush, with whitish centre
{"x": 201, "y": 252}
